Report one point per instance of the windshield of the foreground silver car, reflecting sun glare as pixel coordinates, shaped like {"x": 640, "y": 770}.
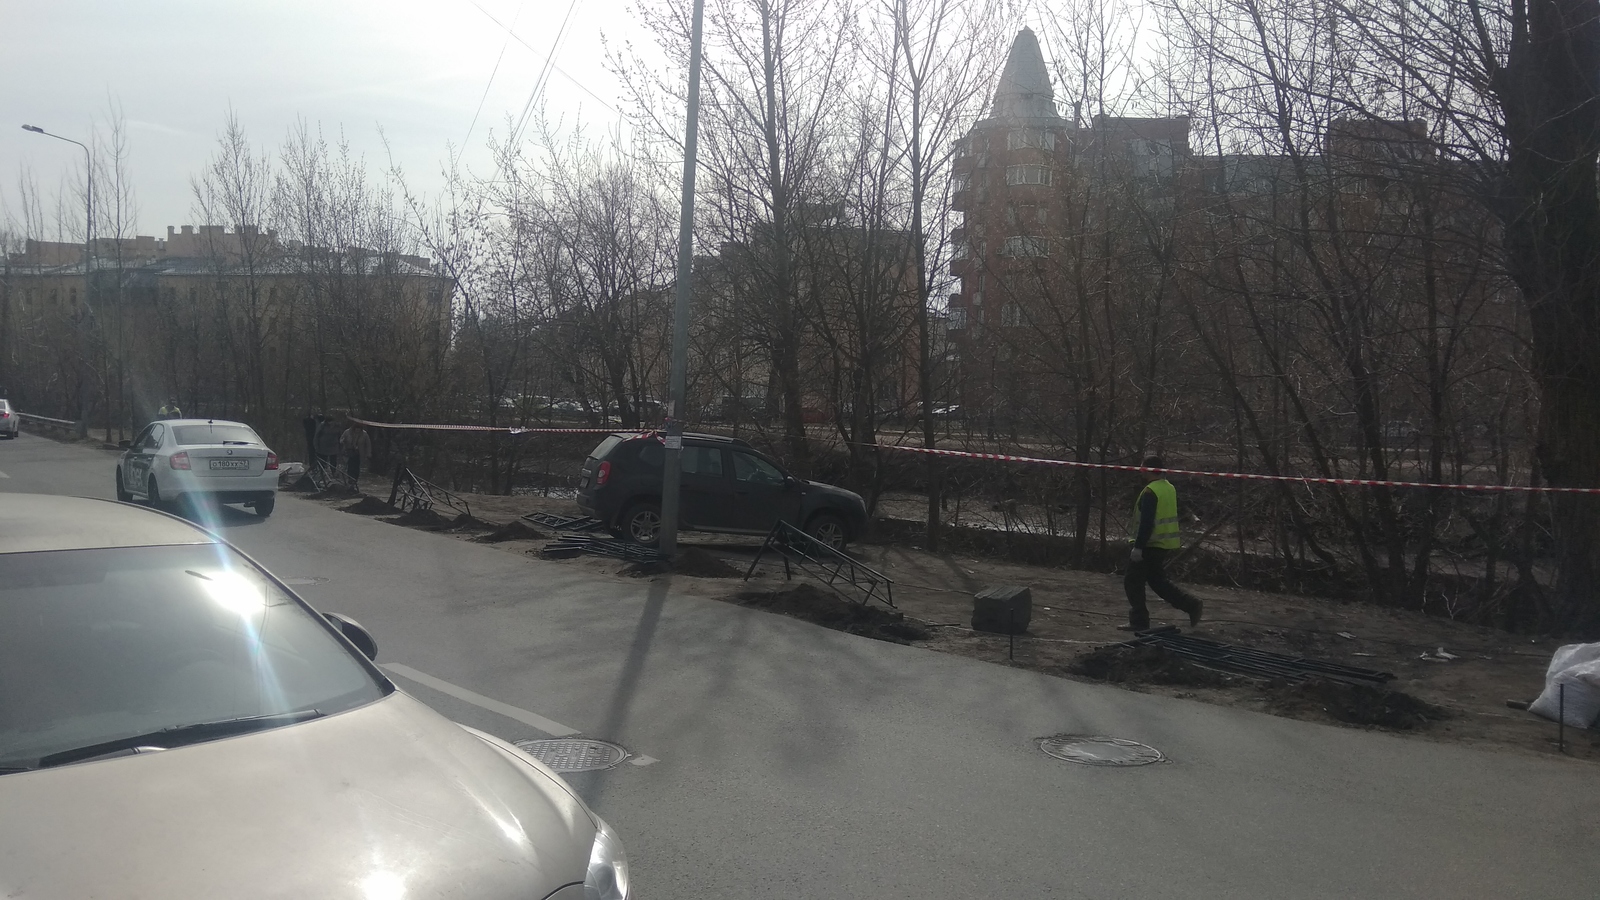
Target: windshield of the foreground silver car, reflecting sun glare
{"x": 108, "y": 645}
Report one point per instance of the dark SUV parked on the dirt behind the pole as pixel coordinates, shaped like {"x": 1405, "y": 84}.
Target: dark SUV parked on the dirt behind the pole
{"x": 727, "y": 488}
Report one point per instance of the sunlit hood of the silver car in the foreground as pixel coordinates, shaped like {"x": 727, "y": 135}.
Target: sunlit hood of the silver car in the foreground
{"x": 390, "y": 802}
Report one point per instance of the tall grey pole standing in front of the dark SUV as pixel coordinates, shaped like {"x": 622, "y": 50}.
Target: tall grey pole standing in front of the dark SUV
{"x": 671, "y": 464}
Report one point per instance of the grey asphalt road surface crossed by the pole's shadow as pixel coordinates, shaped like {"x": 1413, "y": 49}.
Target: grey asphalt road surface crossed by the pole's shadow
{"x": 793, "y": 761}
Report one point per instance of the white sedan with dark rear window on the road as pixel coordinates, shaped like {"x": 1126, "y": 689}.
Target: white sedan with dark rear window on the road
{"x": 194, "y": 460}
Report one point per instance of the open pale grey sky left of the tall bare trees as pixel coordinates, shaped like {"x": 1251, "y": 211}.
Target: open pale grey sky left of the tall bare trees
{"x": 417, "y": 70}
